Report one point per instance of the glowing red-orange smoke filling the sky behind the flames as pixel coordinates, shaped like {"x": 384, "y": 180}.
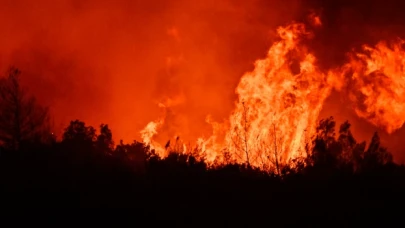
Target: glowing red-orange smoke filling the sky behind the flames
{"x": 114, "y": 61}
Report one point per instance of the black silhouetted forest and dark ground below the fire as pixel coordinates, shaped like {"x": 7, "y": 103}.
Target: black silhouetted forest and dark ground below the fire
{"x": 341, "y": 182}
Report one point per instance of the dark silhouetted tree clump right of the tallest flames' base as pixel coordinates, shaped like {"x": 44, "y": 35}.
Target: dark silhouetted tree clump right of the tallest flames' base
{"x": 344, "y": 153}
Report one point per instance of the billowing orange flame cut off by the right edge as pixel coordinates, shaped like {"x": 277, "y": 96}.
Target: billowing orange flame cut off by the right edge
{"x": 377, "y": 75}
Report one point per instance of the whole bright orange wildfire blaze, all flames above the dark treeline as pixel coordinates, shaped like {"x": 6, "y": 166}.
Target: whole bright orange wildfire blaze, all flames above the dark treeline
{"x": 280, "y": 100}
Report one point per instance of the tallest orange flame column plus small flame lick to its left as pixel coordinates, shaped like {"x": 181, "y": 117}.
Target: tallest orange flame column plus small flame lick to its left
{"x": 279, "y": 103}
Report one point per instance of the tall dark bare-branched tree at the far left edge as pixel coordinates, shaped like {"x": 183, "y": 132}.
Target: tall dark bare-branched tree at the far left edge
{"x": 22, "y": 119}
